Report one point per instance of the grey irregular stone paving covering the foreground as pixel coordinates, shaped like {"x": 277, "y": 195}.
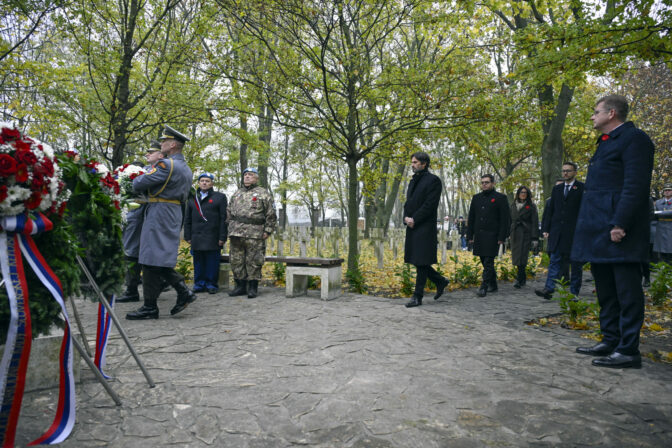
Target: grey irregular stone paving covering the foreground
{"x": 361, "y": 371}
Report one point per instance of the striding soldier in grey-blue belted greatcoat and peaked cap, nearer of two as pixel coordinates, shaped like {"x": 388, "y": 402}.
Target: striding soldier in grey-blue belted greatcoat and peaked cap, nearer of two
{"x": 167, "y": 188}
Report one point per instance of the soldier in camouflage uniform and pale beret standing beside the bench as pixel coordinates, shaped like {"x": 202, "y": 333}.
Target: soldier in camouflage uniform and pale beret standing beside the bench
{"x": 251, "y": 218}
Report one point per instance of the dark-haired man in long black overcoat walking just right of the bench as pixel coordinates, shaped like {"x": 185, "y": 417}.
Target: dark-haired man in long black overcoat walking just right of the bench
{"x": 420, "y": 215}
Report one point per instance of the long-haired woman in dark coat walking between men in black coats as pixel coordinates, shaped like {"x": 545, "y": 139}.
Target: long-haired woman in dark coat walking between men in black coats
{"x": 524, "y": 230}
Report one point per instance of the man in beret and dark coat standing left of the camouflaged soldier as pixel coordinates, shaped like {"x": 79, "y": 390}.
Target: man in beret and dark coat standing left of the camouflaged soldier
{"x": 205, "y": 228}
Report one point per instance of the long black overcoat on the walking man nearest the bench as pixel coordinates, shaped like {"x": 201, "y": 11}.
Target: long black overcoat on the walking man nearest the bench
{"x": 422, "y": 202}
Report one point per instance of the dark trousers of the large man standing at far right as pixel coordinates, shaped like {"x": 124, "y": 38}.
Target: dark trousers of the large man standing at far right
{"x": 621, "y": 298}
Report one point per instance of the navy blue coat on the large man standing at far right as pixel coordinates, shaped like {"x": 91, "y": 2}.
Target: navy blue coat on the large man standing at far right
{"x": 616, "y": 194}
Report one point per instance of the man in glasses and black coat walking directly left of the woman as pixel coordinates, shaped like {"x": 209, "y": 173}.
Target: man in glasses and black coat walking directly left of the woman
{"x": 488, "y": 226}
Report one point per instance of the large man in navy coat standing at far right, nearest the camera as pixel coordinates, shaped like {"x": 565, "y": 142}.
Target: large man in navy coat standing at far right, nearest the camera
{"x": 612, "y": 232}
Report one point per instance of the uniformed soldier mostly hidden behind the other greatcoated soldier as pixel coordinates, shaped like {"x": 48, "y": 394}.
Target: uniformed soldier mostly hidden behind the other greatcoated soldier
{"x": 132, "y": 230}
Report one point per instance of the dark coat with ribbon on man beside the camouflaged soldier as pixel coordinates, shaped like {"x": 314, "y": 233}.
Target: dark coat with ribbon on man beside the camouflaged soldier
{"x": 205, "y": 235}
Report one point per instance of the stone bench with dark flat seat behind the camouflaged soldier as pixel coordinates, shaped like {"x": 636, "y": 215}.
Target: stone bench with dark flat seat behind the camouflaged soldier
{"x": 297, "y": 271}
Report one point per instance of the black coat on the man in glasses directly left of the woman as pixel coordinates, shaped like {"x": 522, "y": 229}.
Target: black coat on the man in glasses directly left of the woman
{"x": 488, "y": 223}
